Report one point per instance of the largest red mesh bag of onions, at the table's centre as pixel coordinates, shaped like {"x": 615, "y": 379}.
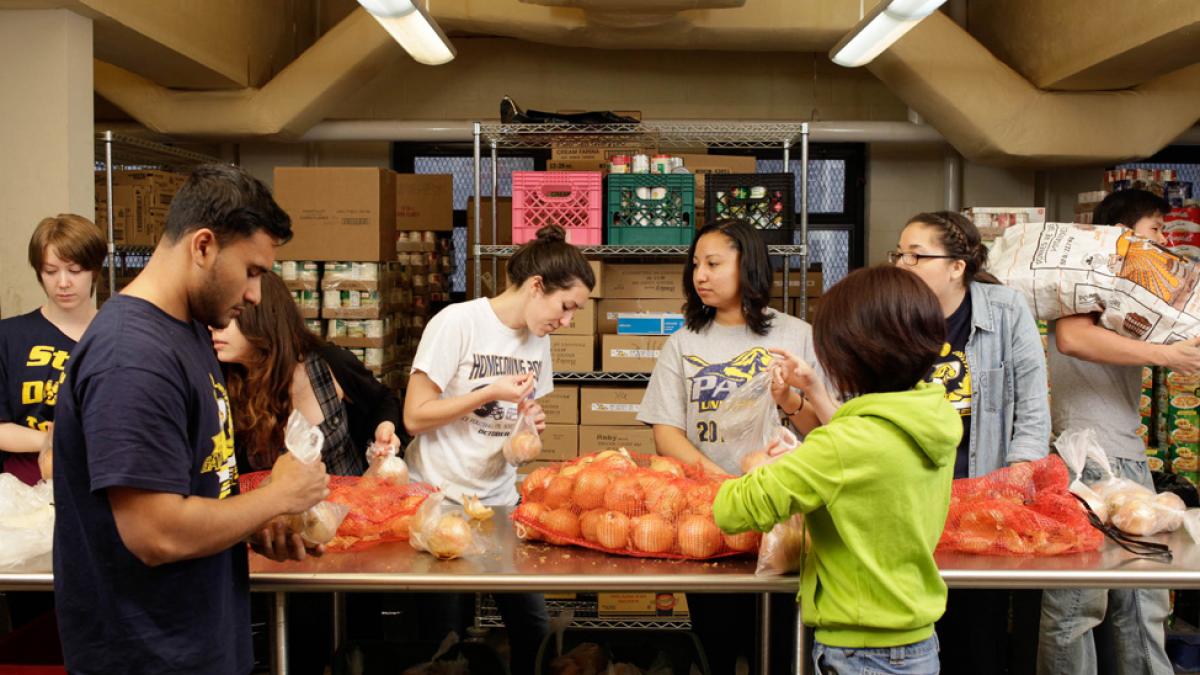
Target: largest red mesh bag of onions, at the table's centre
{"x": 628, "y": 505}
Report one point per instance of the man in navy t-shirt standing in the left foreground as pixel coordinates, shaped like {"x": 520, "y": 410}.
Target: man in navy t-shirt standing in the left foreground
{"x": 151, "y": 564}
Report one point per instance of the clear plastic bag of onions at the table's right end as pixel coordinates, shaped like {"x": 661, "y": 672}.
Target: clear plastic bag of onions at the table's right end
{"x": 1129, "y": 506}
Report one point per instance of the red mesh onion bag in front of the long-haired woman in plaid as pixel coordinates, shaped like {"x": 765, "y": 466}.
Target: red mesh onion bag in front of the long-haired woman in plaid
{"x": 381, "y": 510}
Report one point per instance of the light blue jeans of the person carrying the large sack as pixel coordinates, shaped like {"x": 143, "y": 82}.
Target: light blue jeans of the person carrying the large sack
{"x": 1138, "y": 617}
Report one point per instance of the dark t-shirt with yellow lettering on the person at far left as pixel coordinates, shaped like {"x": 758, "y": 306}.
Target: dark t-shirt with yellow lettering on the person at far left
{"x": 33, "y": 365}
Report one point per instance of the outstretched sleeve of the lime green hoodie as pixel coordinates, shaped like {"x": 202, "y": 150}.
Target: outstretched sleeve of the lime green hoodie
{"x": 800, "y": 482}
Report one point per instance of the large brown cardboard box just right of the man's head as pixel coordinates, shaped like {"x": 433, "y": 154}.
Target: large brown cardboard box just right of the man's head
{"x": 339, "y": 214}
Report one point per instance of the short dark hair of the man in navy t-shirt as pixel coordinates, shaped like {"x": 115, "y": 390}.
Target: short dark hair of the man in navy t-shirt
{"x": 230, "y": 202}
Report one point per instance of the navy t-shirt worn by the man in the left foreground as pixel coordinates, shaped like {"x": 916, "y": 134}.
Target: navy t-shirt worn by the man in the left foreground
{"x": 145, "y": 407}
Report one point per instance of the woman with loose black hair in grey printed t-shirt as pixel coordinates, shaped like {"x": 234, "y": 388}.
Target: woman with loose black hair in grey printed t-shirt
{"x": 729, "y": 338}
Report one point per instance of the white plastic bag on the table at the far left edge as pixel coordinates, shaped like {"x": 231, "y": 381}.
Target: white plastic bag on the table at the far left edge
{"x": 27, "y": 525}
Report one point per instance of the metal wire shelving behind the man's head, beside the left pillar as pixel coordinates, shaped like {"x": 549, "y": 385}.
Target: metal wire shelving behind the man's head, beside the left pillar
{"x": 118, "y": 151}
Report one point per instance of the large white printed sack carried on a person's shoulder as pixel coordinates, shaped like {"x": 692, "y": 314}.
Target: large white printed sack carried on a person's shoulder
{"x": 1141, "y": 290}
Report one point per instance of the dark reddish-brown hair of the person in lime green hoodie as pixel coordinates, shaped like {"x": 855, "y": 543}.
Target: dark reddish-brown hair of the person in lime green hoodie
{"x": 880, "y": 330}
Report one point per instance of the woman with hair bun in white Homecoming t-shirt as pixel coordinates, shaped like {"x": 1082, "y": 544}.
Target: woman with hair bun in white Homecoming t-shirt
{"x": 481, "y": 366}
